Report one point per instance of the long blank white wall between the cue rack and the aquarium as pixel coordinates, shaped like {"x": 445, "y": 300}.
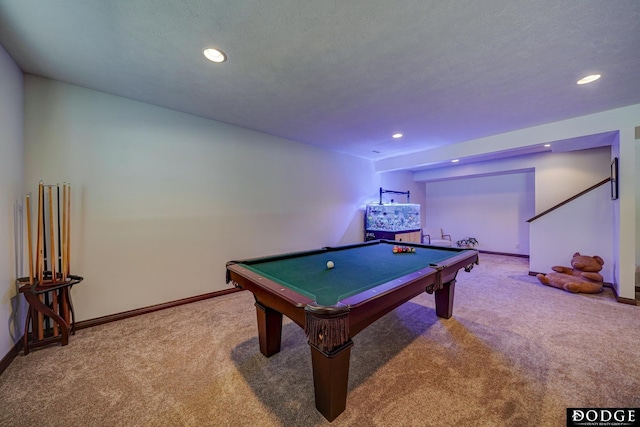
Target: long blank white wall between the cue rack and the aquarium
{"x": 162, "y": 200}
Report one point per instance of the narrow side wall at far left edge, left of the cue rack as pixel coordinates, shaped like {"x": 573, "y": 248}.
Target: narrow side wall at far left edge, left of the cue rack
{"x": 11, "y": 193}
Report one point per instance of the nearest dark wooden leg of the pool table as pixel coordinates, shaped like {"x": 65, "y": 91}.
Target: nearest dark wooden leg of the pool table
{"x": 330, "y": 379}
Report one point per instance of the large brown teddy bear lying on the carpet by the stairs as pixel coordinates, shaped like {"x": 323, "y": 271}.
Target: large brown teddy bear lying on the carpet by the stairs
{"x": 583, "y": 277}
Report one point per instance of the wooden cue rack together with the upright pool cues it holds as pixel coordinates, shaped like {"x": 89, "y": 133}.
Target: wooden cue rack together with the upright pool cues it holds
{"x": 50, "y": 318}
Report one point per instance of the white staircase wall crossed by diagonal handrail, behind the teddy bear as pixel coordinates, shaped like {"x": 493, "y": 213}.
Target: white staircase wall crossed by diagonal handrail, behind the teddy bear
{"x": 585, "y": 225}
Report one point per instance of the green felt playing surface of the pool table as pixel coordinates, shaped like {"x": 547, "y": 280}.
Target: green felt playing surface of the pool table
{"x": 357, "y": 268}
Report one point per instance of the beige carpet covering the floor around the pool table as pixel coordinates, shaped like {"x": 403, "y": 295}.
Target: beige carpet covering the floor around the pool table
{"x": 516, "y": 353}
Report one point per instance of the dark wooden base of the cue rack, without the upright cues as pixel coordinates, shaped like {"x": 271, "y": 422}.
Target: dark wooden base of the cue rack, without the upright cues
{"x": 59, "y": 310}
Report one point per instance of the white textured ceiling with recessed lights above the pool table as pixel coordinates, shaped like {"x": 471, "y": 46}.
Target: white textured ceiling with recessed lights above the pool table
{"x": 343, "y": 75}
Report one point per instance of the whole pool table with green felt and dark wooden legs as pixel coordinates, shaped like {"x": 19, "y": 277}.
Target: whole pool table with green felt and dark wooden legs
{"x": 332, "y": 305}
